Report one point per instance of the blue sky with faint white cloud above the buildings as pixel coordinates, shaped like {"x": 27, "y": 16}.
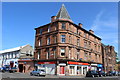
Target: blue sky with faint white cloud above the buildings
{"x": 20, "y": 19}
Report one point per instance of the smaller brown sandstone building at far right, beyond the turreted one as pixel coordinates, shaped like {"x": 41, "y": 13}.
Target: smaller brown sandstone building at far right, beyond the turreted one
{"x": 108, "y": 58}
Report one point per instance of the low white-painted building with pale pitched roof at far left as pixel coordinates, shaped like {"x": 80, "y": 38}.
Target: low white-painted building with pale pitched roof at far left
{"x": 11, "y": 56}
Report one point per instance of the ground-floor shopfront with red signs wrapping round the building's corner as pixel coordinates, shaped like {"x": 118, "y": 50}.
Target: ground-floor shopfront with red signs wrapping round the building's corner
{"x": 63, "y": 68}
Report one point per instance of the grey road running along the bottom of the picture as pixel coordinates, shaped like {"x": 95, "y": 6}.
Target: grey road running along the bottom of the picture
{"x": 23, "y": 76}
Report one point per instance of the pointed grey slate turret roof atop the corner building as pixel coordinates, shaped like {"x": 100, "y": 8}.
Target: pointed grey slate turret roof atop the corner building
{"x": 63, "y": 14}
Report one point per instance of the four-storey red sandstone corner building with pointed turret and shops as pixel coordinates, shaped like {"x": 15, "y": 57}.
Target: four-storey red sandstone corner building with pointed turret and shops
{"x": 65, "y": 48}
